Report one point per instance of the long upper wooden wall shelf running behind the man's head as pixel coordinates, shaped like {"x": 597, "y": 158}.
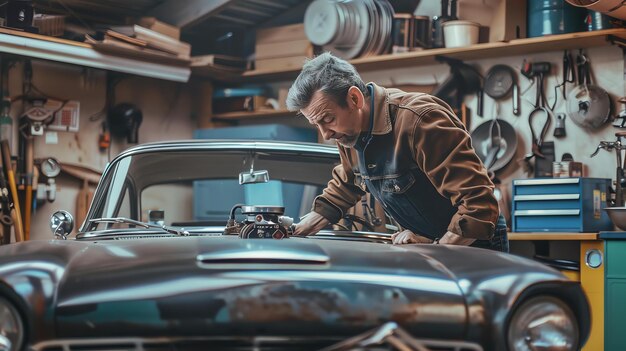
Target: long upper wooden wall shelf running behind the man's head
{"x": 428, "y": 57}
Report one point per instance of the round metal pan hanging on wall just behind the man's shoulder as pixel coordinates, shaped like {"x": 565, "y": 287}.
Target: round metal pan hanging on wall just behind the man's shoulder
{"x": 481, "y": 140}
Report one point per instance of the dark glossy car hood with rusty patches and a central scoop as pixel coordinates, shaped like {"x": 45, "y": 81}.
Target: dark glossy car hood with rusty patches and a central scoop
{"x": 289, "y": 286}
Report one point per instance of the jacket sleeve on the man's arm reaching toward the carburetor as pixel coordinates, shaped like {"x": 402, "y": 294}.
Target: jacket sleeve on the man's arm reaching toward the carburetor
{"x": 340, "y": 194}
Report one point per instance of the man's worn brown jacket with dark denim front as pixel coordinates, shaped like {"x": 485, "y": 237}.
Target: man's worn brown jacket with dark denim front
{"x": 420, "y": 164}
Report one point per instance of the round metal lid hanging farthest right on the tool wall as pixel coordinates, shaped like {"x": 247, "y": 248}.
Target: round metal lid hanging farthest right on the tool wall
{"x": 589, "y": 106}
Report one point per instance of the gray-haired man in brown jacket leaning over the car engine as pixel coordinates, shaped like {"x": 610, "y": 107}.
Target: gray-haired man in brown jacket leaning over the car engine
{"x": 407, "y": 149}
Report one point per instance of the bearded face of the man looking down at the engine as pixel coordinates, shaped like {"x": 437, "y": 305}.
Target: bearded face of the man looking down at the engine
{"x": 332, "y": 120}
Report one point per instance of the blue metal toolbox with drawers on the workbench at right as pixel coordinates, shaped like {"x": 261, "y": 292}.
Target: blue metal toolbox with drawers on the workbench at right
{"x": 560, "y": 205}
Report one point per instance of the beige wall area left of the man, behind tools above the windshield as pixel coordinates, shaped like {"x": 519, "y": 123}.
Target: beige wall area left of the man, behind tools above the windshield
{"x": 166, "y": 116}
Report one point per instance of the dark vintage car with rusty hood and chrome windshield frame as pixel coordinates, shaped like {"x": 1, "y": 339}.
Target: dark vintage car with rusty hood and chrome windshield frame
{"x": 187, "y": 245}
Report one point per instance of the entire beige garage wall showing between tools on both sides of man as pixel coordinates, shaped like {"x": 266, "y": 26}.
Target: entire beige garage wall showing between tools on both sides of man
{"x": 168, "y": 115}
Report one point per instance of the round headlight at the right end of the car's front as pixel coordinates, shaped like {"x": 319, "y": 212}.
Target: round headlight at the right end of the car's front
{"x": 543, "y": 323}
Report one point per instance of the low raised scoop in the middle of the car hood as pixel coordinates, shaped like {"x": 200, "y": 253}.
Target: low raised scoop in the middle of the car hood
{"x": 266, "y": 254}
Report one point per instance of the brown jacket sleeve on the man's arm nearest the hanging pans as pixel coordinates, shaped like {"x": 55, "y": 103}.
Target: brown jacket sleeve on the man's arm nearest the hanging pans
{"x": 443, "y": 150}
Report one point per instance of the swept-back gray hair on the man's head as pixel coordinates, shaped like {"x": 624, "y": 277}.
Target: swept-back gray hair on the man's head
{"x": 327, "y": 73}
